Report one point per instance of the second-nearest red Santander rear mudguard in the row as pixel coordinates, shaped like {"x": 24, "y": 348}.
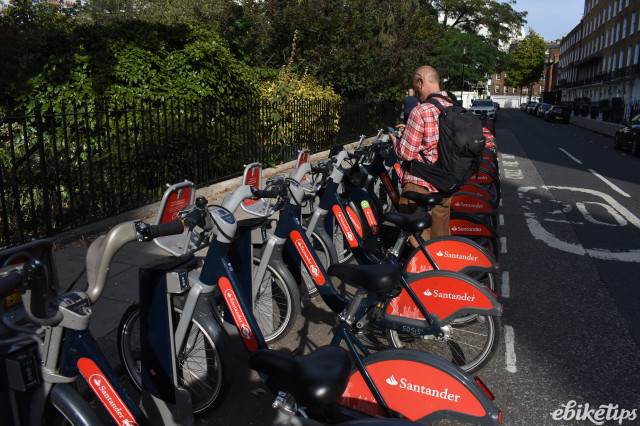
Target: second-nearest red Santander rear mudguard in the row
{"x": 446, "y": 295}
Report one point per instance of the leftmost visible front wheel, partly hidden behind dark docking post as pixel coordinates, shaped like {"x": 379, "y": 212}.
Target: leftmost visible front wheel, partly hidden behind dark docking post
{"x": 204, "y": 369}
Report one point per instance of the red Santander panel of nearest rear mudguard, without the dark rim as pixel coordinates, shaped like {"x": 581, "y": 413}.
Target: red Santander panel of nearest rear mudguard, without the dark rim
{"x": 415, "y": 390}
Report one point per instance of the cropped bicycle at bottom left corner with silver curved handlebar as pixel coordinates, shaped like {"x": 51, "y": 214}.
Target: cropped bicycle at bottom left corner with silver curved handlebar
{"x": 44, "y": 373}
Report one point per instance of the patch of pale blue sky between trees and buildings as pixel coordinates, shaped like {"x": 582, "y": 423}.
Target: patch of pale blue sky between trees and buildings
{"x": 551, "y": 19}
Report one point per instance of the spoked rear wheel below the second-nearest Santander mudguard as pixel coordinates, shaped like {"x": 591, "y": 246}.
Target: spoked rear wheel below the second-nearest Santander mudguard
{"x": 469, "y": 342}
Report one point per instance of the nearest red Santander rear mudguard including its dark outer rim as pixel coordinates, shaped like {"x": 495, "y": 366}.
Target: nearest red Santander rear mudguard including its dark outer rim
{"x": 421, "y": 387}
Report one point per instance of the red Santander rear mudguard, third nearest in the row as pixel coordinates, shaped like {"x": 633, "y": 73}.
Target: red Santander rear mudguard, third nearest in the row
{"x": 452, "y": 254}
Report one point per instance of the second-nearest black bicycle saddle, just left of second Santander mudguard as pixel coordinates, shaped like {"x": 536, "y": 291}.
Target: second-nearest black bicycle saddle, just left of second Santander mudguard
{"x": 373, "y": 278}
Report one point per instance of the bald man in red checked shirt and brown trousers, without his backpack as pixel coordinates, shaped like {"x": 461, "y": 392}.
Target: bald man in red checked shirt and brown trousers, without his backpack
{"x": 421, "y": 135}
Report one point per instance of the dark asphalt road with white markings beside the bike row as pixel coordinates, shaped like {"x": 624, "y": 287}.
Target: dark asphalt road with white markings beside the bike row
{"x": 570, "y": 212}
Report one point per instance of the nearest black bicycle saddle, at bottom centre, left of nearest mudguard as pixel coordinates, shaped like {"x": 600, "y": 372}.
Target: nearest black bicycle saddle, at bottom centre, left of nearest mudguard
{"x": 314, "y": 380}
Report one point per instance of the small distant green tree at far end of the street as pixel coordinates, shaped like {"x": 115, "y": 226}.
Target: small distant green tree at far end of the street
{"x": 527, "y": 62}
